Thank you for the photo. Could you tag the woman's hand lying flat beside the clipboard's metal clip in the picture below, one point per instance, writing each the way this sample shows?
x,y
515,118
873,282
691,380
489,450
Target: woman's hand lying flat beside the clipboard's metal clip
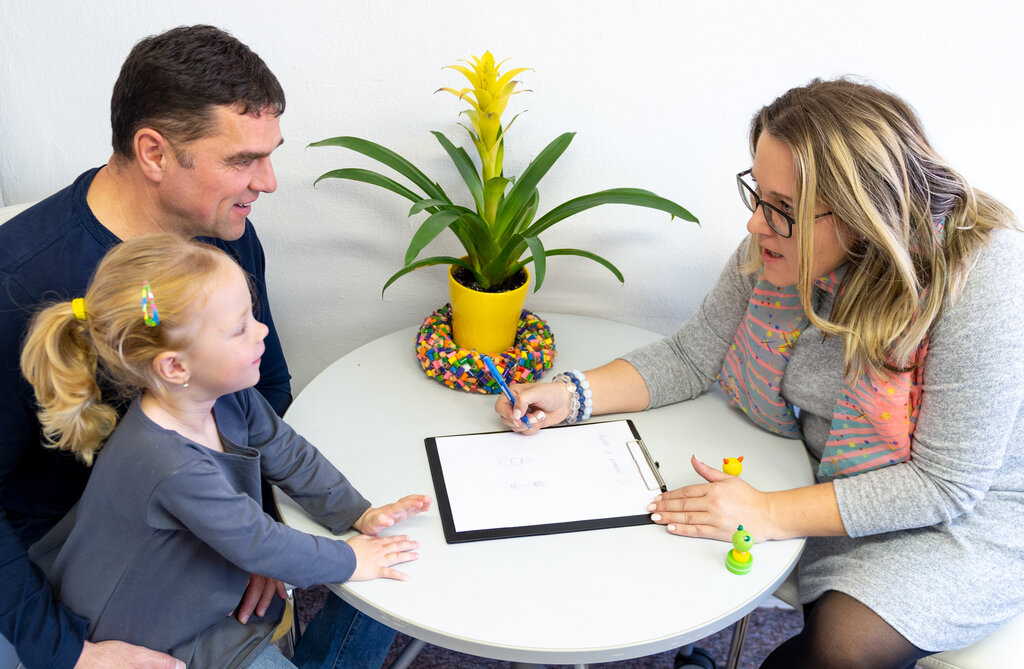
x,y
714,510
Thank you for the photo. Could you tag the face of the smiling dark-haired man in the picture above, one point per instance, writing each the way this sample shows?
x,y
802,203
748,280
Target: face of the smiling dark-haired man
x,y
225,173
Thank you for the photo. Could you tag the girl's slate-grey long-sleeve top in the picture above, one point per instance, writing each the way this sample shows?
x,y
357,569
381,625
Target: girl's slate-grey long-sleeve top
x,y
159,550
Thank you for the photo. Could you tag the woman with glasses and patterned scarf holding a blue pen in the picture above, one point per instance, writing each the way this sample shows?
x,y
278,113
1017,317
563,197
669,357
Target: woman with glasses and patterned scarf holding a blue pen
x,y
876,312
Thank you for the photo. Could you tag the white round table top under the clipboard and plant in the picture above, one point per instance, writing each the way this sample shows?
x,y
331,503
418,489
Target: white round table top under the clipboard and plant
x,y
568,599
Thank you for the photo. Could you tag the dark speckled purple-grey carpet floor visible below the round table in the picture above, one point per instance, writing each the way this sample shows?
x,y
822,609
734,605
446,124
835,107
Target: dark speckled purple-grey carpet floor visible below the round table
x,y
767,629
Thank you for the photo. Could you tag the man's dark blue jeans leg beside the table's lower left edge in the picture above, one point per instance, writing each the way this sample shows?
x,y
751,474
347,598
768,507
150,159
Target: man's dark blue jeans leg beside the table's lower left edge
x,y
343,638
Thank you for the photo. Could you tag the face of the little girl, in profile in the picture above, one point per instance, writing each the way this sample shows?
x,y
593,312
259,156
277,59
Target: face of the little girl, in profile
x,y
226,353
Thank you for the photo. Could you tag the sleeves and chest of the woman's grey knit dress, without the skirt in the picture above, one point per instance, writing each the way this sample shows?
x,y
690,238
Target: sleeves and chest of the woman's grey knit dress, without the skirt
x,y
969,435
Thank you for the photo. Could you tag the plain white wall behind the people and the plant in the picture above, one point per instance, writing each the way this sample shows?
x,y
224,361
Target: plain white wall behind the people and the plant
x,y
660,94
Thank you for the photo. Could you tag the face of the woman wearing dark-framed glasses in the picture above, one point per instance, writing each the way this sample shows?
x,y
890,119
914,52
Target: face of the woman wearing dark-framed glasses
x,y
775,172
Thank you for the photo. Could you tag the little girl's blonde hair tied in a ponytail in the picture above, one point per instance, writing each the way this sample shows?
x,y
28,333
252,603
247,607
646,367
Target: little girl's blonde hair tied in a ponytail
x,y
63,355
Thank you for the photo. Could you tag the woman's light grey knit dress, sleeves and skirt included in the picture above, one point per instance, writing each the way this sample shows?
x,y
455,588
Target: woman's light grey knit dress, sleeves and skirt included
x,y
933,546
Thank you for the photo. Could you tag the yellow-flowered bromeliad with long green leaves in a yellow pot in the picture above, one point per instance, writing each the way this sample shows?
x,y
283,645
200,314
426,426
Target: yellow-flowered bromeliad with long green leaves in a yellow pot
x,y
501,231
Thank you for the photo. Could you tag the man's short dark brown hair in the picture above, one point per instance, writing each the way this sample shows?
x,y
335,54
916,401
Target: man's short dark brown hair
x,y
174,82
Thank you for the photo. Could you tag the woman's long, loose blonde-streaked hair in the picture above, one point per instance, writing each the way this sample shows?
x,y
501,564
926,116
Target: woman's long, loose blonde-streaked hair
x,y
912,224
